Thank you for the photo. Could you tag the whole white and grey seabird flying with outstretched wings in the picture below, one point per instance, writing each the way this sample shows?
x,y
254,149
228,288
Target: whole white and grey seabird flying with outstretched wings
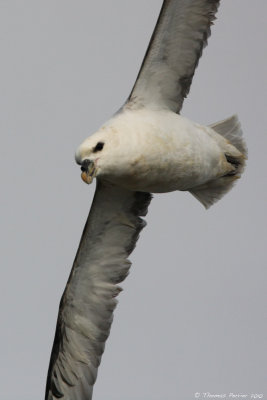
x,y
146,147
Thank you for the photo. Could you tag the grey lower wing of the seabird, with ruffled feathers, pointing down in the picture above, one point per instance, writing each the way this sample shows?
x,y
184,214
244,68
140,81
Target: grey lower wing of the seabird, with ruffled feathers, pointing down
x,y
86,308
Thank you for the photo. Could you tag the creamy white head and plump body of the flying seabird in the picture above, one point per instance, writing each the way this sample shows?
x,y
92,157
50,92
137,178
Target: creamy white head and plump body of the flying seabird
x,y
158,151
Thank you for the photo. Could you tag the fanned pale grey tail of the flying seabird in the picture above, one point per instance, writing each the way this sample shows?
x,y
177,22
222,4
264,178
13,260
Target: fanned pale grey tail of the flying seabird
x,y
213,191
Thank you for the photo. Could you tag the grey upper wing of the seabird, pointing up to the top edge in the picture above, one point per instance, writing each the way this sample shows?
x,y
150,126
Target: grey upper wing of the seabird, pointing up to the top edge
x,y
173,53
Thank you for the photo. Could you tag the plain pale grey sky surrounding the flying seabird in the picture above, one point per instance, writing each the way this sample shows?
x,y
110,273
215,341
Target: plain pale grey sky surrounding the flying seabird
x,y
192,317
